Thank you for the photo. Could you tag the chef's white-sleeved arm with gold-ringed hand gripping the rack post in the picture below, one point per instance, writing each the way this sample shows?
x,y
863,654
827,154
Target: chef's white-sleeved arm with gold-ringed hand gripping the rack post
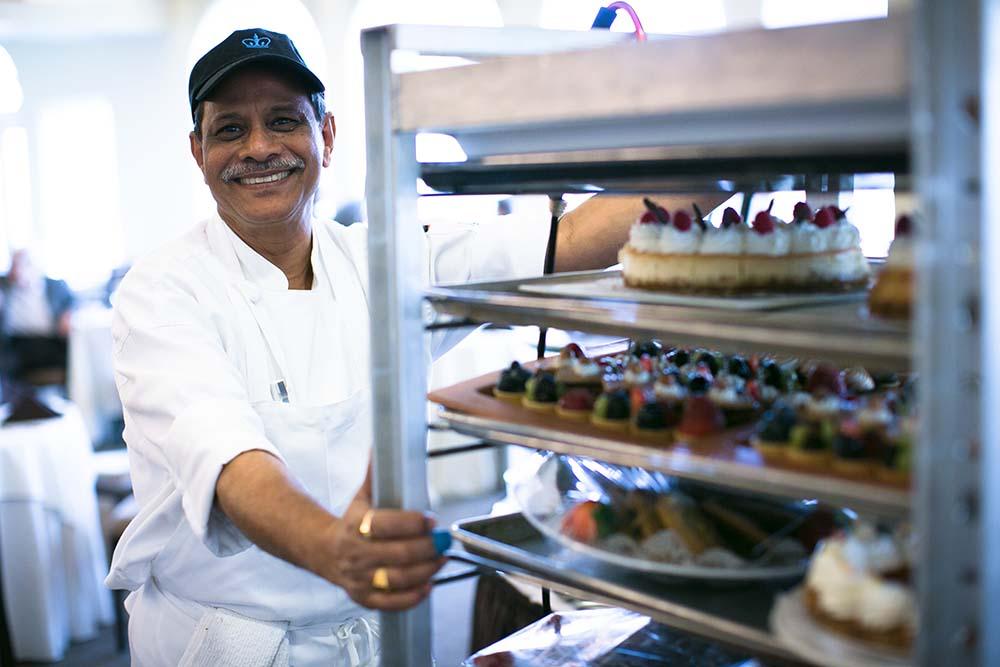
x,y
188,405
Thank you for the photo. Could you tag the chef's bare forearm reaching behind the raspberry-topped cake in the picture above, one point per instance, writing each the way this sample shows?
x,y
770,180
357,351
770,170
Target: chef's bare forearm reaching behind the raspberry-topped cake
x,y
591,234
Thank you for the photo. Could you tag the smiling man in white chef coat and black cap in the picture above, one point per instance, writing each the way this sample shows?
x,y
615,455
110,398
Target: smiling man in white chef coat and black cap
x,y
241,357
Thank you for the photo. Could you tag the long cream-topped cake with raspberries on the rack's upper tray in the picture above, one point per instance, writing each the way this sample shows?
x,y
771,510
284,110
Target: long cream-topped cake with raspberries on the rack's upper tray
x,y
818,250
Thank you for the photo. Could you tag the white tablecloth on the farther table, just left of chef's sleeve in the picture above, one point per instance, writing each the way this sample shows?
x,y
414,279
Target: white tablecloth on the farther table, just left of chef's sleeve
x,y
91,380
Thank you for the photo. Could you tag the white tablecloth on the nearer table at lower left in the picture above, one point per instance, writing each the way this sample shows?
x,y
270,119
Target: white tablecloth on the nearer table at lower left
x,y
52,555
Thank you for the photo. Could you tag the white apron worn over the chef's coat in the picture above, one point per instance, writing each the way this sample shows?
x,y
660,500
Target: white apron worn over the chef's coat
x,y
252,609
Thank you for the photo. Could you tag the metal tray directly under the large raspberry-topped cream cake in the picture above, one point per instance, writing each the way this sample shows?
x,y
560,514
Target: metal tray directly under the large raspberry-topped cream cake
x,y
841,333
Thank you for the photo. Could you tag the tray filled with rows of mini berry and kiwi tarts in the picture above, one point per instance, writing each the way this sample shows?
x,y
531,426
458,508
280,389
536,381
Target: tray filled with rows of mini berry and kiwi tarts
x,y
756,410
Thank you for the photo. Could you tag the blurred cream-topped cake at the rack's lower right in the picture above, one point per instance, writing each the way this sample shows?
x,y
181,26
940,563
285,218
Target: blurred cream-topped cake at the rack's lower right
x,y
858,586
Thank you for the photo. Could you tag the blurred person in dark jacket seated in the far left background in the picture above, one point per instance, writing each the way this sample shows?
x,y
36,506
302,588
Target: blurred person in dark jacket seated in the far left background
x,y
35,316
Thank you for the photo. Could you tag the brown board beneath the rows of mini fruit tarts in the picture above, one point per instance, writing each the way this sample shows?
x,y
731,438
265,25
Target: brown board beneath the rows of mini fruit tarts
x,y
475,397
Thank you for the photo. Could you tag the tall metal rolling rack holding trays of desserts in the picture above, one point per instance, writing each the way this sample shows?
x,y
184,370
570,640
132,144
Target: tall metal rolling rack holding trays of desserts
x,y
565,112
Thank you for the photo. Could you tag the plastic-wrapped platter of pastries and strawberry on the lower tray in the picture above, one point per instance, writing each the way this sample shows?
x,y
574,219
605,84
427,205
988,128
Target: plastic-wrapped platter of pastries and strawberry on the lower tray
x,y
666,527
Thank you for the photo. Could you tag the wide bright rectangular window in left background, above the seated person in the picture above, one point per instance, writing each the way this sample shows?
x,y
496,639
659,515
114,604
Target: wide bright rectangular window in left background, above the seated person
x,y
81,233
